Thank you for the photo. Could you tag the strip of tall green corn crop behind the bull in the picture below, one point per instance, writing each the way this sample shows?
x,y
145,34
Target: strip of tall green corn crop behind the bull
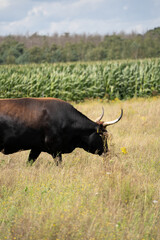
x,y
78,81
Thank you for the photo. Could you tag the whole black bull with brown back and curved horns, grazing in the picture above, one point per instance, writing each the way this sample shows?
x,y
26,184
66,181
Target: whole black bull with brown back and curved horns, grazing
x,y
49,125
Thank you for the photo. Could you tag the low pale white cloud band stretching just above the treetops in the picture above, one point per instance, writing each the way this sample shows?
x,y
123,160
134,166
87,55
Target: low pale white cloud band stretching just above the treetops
x,y
31,24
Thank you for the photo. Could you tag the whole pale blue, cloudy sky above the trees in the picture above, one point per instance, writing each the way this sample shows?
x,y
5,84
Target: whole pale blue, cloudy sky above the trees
x,y
78,16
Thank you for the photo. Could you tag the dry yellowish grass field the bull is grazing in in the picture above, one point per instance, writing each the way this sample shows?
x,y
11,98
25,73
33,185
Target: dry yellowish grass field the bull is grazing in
x,y
89,197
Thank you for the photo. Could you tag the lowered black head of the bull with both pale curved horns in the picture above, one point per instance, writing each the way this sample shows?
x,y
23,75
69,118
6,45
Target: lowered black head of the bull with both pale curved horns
x,y
98,139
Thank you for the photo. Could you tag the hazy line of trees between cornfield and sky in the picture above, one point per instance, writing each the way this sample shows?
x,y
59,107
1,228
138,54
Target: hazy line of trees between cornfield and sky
x,y
70,48
